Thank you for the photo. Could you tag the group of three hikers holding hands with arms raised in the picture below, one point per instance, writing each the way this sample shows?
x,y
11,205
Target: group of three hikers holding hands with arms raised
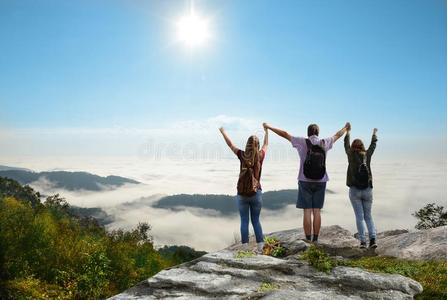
x,y
312,179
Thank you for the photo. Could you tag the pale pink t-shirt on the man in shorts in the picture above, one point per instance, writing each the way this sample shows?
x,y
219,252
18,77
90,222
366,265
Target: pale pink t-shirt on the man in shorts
x,y
300,144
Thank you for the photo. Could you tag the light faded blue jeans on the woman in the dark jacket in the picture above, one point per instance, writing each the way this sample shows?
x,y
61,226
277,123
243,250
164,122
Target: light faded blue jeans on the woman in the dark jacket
x,y
361,201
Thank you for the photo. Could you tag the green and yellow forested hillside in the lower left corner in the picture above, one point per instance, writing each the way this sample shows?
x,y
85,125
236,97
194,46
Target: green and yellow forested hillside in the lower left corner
x,y
48,252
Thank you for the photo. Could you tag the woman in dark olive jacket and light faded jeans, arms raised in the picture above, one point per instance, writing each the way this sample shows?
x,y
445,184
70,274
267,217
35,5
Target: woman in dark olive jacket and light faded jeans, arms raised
x,y
359,180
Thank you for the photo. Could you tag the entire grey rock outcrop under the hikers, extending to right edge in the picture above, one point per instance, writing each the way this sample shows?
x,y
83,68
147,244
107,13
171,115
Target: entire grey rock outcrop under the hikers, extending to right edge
x,y
223,275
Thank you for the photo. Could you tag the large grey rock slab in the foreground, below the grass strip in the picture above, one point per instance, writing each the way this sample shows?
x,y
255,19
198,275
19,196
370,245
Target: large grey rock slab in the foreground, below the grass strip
x,y
221,275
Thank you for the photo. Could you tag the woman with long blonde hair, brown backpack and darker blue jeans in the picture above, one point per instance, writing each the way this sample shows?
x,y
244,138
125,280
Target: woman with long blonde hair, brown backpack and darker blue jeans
x,y
249,192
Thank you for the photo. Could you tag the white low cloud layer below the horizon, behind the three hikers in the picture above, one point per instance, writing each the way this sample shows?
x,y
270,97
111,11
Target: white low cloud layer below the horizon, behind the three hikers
x,y
400,188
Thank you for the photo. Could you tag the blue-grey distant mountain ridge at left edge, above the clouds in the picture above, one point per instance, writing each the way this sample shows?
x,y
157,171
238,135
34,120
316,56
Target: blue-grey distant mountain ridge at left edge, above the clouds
x,y
71,181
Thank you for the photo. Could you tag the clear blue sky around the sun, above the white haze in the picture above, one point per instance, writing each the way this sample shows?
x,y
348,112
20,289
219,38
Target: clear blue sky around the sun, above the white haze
x,y
106,64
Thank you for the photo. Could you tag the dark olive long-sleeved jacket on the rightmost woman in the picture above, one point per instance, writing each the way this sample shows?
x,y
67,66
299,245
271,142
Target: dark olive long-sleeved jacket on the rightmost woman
x,y
355,159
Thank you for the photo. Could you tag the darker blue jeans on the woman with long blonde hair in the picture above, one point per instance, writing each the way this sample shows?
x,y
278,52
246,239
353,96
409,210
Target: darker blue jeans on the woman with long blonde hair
x,y
250,206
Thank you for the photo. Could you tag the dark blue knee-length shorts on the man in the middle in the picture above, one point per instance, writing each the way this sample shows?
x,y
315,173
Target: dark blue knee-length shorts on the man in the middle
x,y
311,194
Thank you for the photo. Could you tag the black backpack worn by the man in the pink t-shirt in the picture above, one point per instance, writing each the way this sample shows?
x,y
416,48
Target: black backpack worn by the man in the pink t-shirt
x,y
315,163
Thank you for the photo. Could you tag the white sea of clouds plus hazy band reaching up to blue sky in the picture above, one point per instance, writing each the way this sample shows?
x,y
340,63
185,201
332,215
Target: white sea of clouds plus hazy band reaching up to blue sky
x,y
190,157
